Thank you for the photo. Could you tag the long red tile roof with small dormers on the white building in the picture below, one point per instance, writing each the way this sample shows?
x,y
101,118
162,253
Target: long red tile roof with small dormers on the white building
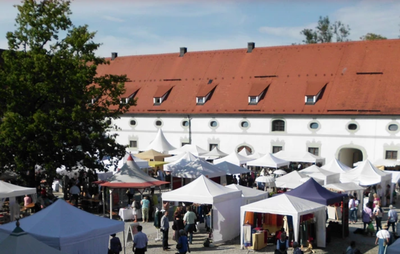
x,y
362,78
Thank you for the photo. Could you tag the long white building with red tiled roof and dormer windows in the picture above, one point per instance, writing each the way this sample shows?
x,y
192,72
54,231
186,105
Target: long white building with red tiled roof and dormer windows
x,y
335,100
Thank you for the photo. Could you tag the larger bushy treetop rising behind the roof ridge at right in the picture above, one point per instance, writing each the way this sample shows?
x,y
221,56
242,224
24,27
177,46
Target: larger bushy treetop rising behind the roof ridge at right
x,y
326,32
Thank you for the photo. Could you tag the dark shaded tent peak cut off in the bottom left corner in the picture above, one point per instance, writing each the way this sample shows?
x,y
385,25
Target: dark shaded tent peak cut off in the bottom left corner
x,y
20,242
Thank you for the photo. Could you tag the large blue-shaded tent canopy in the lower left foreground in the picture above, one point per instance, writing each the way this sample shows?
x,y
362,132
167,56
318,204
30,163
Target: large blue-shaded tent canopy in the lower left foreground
x,y
69,229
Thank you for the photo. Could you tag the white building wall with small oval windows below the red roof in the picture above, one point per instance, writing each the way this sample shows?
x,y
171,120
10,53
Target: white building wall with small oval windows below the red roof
x,y
371,137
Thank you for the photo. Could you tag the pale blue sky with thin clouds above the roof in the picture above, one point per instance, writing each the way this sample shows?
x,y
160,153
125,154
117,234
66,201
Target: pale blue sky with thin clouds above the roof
x,y
141,27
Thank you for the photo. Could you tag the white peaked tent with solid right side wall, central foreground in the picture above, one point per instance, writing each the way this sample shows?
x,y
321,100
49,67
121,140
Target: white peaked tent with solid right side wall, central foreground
x,y
226,205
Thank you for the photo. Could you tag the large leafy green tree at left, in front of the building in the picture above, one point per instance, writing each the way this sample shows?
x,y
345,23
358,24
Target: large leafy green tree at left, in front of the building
x,y
54,109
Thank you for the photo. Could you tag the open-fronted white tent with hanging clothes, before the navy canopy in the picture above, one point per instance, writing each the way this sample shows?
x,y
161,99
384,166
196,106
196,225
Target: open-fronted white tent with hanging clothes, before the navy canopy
x,y
292,206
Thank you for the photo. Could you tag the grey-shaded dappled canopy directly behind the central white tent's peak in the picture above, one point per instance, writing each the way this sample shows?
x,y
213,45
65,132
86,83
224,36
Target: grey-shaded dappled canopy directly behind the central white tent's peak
x,y
196,168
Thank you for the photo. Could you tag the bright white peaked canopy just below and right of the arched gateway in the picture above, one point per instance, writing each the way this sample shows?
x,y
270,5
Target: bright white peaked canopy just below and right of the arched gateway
x,y
366,174
